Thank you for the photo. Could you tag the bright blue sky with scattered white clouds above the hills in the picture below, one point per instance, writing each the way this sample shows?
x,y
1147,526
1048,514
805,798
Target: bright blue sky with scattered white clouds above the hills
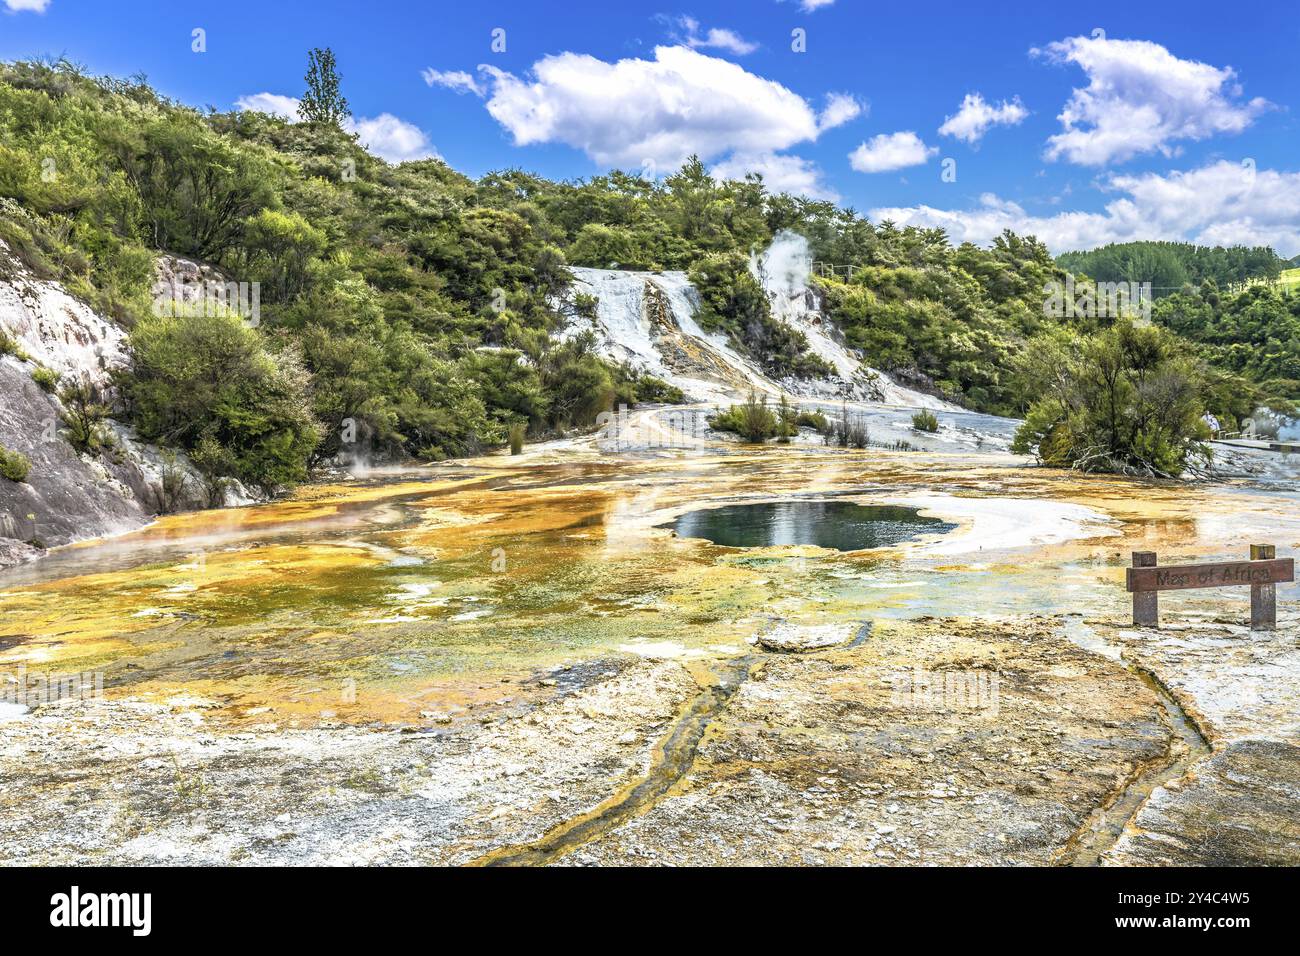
x,y
1180,119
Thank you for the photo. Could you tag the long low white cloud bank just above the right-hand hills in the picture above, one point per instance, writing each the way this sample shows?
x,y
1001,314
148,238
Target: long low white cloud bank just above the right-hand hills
x,y
1217,205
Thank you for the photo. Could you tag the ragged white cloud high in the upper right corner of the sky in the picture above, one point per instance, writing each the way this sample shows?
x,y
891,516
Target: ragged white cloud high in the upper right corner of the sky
x,y
1142,100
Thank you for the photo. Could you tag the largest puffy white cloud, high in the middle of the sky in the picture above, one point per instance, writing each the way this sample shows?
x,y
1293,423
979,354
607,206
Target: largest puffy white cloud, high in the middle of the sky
x,y
636,113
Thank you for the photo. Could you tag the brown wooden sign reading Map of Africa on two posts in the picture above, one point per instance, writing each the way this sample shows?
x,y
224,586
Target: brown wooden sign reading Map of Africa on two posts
x,y
1146,579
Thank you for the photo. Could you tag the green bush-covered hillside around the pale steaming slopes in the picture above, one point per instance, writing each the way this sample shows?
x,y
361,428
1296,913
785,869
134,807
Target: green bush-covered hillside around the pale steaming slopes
x,y
421,305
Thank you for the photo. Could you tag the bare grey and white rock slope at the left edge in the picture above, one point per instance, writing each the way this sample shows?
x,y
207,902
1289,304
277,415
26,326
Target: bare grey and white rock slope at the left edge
x,y
68,496
